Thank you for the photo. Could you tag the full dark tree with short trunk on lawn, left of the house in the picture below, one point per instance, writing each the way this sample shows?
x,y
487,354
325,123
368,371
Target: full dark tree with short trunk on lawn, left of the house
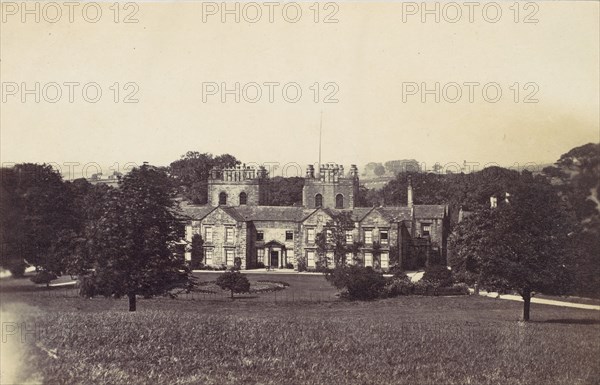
x,y
135,238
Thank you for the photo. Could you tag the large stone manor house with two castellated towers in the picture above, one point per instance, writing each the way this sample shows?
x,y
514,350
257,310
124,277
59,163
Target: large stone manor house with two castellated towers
x,y
238,222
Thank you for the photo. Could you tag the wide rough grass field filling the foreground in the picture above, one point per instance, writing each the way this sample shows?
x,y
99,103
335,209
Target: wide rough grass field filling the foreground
x,y
410,340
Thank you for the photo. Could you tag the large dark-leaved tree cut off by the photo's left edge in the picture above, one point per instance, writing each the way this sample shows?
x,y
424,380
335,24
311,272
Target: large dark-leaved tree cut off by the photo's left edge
x,y
37,213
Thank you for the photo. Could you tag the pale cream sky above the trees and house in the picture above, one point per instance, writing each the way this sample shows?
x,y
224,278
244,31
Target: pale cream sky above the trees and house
x,y
376,64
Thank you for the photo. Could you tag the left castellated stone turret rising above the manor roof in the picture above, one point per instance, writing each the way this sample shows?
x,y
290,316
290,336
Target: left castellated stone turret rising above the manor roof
x,y
238,186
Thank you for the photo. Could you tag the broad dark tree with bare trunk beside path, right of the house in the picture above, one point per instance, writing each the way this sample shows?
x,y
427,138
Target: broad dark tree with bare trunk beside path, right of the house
x,y
522,245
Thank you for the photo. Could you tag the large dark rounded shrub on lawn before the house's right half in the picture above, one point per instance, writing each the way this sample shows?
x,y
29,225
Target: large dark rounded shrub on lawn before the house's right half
x,y
360,283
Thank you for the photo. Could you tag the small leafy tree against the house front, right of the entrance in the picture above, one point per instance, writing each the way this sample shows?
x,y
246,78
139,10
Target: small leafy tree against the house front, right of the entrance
x,y
332,240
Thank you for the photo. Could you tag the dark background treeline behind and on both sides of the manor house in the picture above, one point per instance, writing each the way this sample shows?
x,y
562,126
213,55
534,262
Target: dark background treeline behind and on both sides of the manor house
x,y
46,221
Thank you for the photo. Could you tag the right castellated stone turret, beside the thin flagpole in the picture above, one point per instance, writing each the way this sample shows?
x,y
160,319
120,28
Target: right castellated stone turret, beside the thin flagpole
x,y
331,187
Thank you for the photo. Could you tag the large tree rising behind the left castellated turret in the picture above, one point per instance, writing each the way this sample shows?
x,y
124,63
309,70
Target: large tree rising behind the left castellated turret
x,y
191,172
